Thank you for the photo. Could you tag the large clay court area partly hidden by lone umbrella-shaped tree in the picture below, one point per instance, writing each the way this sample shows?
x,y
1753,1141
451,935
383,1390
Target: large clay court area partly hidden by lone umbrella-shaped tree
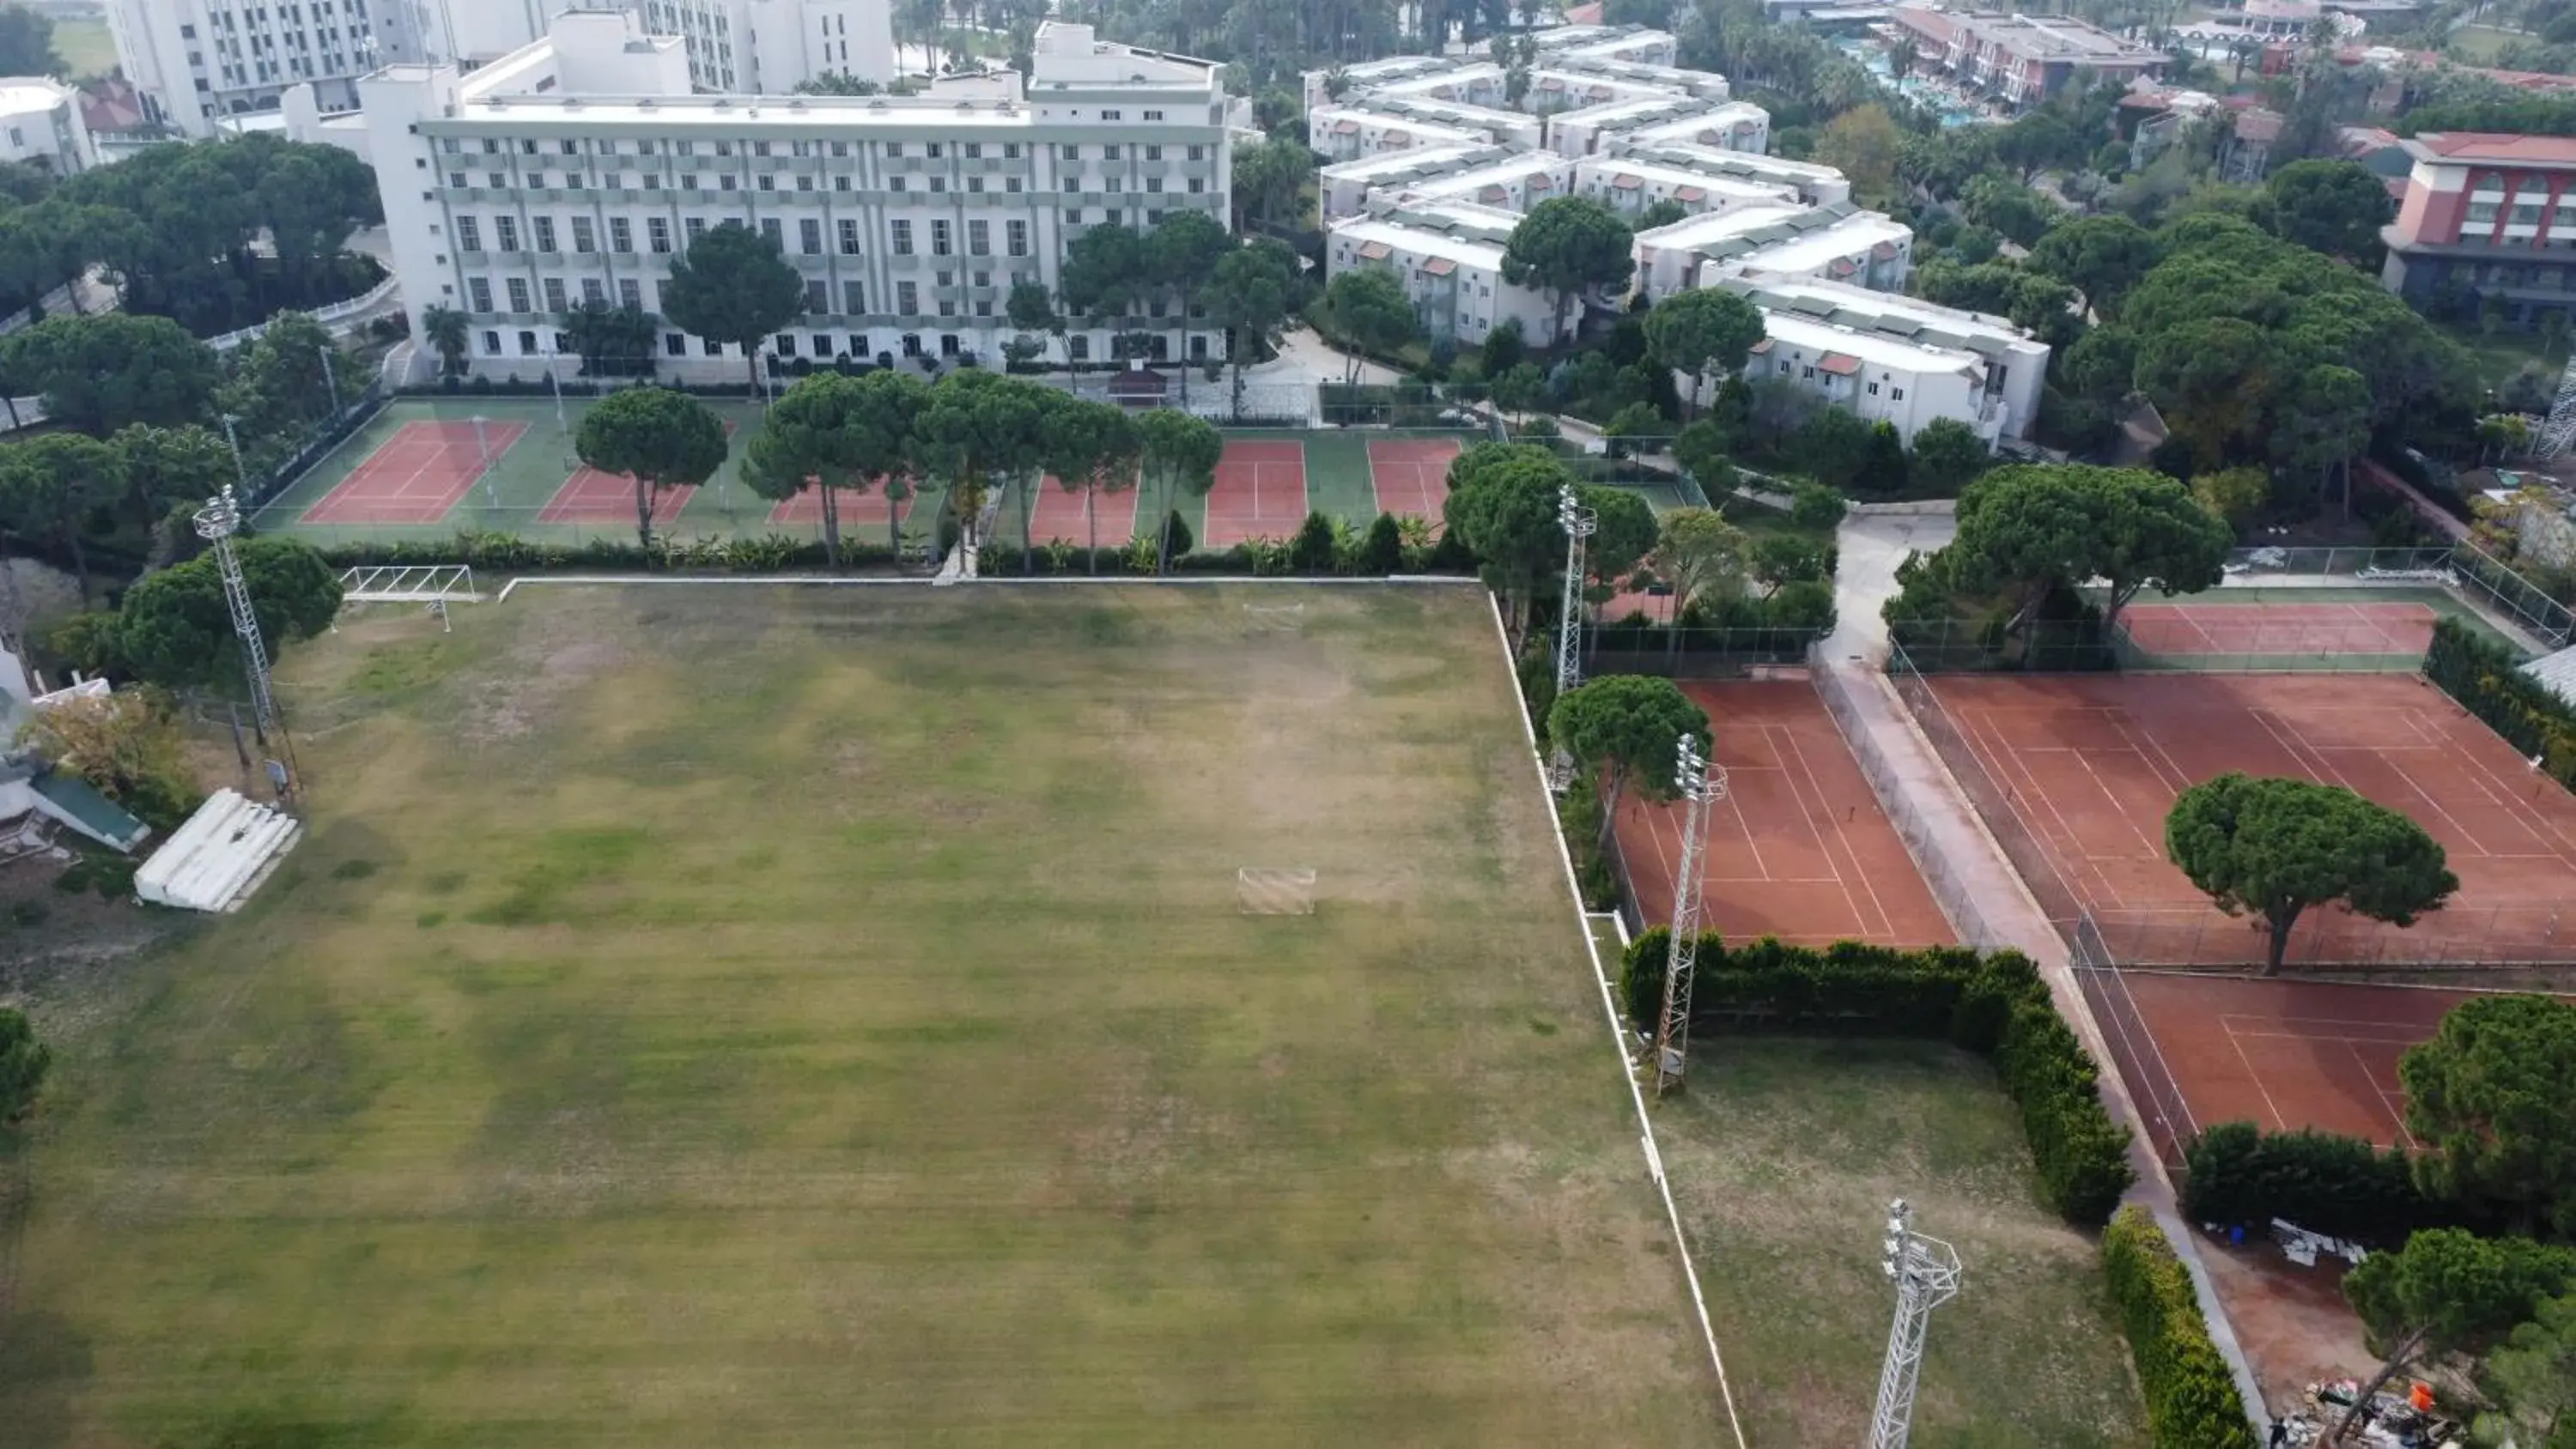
x,y
2088,766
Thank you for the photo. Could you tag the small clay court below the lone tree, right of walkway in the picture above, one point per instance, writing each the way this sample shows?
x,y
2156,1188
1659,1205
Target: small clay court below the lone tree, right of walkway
x,y
2281,1054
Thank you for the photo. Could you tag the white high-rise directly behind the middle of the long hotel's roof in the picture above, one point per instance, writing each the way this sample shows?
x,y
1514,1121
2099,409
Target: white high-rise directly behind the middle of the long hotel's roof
x,y
769,48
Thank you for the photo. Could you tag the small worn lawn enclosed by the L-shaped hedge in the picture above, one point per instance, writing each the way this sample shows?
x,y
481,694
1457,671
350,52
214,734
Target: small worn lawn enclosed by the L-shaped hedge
x,y
1784,1157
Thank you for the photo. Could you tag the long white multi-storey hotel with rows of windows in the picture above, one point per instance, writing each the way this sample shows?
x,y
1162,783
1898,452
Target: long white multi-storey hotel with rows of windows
x,y
578,166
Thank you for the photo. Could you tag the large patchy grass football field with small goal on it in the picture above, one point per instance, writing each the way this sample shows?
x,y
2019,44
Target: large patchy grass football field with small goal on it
x,y
826,1018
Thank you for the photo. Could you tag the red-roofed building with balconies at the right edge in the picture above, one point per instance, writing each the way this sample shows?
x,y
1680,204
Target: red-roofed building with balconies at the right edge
x,y
2487,217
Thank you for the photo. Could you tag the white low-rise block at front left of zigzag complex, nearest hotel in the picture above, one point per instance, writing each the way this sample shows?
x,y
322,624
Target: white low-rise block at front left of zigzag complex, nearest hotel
x,y
1449,261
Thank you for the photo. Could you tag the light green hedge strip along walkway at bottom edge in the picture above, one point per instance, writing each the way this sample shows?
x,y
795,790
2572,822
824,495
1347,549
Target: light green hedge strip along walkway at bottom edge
x,y
2191,1396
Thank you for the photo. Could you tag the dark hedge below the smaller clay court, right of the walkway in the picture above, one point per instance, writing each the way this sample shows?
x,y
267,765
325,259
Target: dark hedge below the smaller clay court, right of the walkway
x,y
2345,1188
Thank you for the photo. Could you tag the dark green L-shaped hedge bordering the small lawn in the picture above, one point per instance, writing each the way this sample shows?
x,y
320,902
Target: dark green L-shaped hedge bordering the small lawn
x,y
1990,1005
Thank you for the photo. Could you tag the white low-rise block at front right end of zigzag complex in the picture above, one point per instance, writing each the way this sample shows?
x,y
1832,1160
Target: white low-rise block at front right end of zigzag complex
x,y
1895,359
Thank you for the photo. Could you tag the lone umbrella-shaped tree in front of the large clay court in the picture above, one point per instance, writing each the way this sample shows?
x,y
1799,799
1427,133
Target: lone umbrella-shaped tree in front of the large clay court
x,y
2276,848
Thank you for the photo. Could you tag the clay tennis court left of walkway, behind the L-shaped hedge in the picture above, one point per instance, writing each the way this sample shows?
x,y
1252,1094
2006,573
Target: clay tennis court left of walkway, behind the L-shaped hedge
x,y
1799,845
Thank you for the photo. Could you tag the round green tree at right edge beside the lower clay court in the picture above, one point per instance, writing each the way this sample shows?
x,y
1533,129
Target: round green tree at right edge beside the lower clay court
x,y
2490,1100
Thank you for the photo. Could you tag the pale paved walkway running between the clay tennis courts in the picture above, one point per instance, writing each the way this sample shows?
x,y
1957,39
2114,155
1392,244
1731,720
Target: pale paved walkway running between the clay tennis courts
x,y
1967,869
